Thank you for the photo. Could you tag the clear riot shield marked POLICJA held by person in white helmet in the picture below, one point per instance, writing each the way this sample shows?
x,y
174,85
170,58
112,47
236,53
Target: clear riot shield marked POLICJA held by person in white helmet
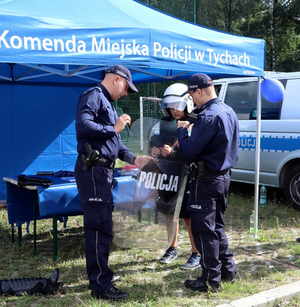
x,y
145,214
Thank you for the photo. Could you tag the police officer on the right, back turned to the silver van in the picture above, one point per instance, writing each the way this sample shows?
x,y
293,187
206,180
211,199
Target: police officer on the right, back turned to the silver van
x,y
212,148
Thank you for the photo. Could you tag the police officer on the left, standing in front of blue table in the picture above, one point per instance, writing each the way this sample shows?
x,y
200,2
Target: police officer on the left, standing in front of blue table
x,y
98,135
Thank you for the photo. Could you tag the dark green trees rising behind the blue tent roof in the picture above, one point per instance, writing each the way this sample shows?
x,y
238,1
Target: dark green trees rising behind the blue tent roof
x,y
276,21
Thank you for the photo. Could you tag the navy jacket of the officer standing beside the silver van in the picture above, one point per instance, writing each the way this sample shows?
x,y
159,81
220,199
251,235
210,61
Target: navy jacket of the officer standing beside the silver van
x,y
214,137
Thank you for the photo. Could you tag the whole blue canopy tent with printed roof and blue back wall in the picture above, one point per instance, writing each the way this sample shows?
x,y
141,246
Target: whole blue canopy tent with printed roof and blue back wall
x,y
51,50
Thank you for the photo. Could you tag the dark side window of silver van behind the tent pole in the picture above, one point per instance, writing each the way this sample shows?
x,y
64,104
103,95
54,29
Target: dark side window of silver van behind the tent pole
x,y
242,98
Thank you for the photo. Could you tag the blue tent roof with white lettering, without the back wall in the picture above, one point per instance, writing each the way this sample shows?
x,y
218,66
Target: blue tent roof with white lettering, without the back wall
x,y
62,39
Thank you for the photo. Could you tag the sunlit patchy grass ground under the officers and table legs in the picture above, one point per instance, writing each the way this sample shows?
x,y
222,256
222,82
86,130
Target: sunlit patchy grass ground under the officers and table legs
x,y
270,261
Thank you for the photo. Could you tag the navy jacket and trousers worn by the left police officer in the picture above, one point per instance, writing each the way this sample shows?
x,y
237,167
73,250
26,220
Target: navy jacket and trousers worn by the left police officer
x,y
95,122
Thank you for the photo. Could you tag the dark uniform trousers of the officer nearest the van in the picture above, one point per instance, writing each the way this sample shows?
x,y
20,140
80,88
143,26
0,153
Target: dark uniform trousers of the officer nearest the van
x,y
207,205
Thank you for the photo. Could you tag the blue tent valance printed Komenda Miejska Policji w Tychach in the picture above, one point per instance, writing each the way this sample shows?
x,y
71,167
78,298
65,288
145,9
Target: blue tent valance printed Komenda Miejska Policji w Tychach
x,y
133,46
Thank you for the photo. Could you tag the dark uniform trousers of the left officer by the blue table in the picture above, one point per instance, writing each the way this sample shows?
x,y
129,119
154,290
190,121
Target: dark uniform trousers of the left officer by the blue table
x,y
94,186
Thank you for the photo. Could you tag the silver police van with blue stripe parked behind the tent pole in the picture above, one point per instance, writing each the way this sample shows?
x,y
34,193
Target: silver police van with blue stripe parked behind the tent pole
x,y
280,132
